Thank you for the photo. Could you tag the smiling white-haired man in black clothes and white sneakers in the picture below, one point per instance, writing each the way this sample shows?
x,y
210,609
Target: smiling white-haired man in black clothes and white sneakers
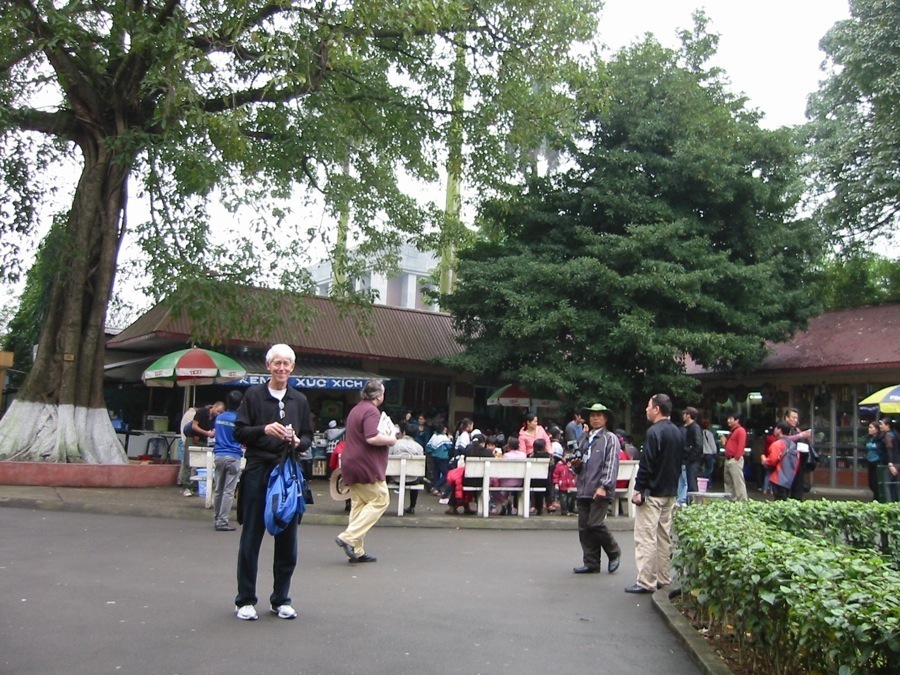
x,y
273,420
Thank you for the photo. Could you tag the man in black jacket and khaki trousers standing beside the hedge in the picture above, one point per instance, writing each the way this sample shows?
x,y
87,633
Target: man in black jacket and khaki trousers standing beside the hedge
x,y
655,488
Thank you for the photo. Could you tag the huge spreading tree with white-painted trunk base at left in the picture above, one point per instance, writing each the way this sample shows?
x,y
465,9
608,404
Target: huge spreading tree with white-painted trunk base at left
x,y
240,101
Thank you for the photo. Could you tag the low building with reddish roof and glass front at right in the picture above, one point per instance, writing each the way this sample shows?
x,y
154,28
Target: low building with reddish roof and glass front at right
x,y
824,372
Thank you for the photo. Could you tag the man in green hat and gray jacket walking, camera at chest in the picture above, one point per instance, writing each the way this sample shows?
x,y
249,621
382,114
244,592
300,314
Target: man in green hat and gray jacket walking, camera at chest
x,y
596,466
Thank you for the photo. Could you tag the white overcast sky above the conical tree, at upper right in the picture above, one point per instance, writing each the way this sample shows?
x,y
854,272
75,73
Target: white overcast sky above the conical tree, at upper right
x,y
768,48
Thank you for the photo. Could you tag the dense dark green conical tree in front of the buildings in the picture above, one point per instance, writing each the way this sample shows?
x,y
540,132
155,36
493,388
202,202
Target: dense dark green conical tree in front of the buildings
x,y
674,237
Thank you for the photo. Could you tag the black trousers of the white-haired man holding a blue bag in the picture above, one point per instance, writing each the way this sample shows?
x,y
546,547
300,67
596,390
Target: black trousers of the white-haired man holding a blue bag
x,y
254,482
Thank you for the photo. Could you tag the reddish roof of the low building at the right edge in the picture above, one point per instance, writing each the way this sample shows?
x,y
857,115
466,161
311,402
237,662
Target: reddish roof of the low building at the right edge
x,y
862,338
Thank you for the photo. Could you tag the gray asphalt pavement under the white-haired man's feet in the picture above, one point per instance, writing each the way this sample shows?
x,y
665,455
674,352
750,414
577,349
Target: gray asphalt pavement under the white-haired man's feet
x,y
87,593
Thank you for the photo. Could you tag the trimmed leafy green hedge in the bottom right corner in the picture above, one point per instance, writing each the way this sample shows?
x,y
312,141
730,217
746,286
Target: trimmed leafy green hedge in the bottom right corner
x,y
810,586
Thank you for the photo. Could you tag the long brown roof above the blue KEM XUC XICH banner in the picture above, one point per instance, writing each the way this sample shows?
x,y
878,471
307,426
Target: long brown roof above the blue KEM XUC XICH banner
x,y
392,333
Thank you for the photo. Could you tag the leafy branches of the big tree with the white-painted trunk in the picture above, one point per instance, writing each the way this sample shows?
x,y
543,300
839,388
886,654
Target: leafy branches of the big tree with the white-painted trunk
x,y
258,106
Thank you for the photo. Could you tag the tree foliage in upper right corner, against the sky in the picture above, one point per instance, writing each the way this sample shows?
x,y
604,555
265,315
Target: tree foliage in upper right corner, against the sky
x,y
855,123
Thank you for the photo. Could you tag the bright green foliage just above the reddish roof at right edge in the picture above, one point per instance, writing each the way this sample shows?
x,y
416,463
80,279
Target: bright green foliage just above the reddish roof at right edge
x,y
858,277
